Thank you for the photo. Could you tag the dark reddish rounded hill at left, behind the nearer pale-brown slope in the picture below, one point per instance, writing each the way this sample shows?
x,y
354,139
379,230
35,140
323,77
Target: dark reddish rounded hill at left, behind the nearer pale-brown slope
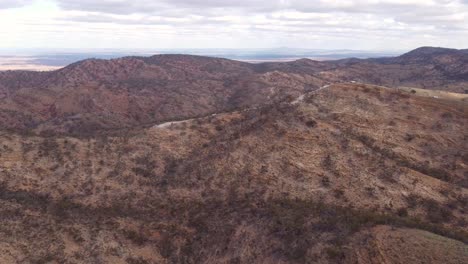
x,y
97,95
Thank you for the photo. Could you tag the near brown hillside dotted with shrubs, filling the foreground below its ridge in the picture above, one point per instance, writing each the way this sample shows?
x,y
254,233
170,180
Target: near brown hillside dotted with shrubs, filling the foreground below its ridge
x,y
323,177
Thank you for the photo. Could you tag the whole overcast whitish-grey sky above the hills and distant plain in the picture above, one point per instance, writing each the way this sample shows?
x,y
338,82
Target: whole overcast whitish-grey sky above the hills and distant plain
x,y
153,24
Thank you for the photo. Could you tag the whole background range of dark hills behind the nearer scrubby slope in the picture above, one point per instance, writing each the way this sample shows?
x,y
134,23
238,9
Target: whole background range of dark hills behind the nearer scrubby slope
x,y
107,95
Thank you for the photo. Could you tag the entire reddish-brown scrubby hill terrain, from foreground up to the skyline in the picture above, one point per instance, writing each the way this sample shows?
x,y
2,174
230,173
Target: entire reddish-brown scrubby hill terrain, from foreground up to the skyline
x,y
182,159
